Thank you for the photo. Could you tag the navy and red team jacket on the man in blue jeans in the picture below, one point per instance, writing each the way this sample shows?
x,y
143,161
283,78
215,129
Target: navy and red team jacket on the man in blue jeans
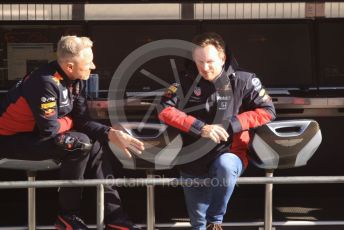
x,y
236,99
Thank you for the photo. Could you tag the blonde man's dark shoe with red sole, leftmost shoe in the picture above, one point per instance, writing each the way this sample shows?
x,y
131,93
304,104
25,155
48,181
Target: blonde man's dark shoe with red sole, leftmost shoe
x,y
70,222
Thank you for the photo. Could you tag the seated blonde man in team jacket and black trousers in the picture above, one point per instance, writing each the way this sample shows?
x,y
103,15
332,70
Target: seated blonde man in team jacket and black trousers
x,y
45,116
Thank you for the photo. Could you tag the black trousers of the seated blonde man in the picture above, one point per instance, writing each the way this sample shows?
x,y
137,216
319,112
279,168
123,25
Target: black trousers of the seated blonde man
x,y
95,164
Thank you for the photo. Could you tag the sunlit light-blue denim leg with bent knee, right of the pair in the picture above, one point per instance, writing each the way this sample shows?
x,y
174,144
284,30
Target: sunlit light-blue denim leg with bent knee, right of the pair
x,y
224,172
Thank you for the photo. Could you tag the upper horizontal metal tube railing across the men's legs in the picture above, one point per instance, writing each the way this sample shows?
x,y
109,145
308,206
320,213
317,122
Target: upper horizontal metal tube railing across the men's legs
x,y
168,182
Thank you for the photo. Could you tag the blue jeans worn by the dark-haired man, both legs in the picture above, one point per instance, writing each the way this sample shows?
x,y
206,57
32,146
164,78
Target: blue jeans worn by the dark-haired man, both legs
x,y
208,204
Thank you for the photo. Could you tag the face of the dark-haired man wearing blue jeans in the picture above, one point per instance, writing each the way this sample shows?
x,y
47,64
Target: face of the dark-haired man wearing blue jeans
x,y
209,61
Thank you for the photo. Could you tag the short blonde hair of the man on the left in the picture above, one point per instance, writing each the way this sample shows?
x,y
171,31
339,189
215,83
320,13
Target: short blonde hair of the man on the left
x,y
70,47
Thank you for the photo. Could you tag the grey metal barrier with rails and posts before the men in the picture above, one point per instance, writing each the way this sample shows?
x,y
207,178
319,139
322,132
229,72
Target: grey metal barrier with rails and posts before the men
x,y
151,182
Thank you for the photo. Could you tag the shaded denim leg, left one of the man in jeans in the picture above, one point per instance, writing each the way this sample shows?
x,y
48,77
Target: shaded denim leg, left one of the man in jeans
x,y
197,200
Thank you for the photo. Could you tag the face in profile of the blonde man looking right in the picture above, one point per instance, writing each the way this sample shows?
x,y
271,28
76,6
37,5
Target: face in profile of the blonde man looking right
x,y
83,65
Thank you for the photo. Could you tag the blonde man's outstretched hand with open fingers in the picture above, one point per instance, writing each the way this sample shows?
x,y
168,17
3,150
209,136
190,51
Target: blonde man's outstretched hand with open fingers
x,y
125,142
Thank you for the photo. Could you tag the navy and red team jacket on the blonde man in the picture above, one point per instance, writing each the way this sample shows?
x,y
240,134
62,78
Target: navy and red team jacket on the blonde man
x,y
46,103
